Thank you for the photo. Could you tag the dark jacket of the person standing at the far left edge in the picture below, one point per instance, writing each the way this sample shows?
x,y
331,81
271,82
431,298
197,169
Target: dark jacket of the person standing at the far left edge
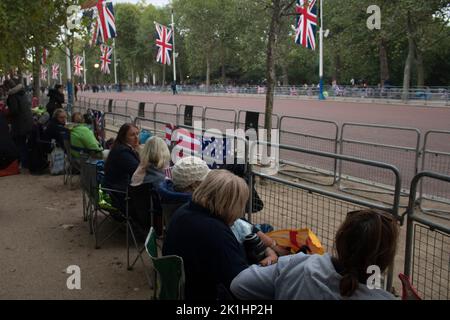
x,y
20,112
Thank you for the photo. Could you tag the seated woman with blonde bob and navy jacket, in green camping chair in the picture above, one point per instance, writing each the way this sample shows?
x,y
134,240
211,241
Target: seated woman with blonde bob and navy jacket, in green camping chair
x,y
200,233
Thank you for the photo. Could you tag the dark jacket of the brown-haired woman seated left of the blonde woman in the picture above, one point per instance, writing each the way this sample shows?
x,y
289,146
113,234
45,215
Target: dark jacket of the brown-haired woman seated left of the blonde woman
x,y
120,166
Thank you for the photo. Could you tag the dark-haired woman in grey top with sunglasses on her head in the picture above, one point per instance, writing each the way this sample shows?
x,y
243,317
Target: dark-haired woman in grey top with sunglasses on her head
x,y
367,238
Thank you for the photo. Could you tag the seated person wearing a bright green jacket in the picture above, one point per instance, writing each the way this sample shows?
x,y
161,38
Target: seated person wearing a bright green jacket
x,y
82,139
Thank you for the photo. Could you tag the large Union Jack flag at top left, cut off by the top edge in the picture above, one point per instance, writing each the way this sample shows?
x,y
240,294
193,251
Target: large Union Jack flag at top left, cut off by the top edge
x,y
106,22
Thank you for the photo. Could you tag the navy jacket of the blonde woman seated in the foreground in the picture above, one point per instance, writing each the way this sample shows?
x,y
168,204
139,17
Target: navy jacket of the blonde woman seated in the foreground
x,y
212,255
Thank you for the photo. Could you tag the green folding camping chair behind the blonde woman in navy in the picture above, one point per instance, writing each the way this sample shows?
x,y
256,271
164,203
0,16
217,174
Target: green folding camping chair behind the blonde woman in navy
x,y
169,278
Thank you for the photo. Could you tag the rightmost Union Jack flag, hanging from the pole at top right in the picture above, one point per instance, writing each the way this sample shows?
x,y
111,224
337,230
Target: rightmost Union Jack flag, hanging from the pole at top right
x,y
305,34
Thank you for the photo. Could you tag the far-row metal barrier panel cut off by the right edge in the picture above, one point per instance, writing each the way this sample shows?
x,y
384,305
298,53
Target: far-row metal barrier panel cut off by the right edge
x,y
436,158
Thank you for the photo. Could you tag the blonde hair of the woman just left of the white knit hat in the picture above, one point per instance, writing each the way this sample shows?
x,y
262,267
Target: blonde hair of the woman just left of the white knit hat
x,y
155,153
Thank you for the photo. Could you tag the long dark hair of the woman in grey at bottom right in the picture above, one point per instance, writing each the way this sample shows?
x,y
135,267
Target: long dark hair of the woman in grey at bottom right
x,y
366,238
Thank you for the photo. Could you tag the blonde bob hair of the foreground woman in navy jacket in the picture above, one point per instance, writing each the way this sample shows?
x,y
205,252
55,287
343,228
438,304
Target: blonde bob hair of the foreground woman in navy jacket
x,y
223,194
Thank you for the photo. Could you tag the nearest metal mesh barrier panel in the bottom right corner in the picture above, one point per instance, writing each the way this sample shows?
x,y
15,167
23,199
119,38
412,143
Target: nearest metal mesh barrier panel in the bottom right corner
x,y
427,255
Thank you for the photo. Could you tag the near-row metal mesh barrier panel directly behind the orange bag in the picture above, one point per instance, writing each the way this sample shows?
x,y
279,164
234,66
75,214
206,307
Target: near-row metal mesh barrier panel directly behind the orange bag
x,y
293,205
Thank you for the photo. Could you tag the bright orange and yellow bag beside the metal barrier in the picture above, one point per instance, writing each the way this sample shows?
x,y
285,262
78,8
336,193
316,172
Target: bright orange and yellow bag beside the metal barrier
x,y
298,239
